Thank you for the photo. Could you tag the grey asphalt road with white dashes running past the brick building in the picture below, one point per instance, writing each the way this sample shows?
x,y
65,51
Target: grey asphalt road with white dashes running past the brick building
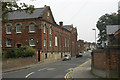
x,y
53,70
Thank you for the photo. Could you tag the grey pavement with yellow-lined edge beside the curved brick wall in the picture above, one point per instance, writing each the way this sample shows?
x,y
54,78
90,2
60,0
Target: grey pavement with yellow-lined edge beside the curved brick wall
x,y
82,71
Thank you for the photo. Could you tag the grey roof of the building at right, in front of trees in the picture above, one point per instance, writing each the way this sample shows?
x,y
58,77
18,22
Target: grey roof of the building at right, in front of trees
x,y
111,29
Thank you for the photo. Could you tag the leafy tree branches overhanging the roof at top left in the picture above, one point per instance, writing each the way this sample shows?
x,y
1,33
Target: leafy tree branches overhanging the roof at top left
x,y
11,6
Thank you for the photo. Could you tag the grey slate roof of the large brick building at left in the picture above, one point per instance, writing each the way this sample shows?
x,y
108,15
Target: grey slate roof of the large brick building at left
x,y
38,12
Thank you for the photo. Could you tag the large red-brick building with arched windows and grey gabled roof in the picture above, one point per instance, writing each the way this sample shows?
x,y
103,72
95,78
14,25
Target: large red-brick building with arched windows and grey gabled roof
x,y
39,30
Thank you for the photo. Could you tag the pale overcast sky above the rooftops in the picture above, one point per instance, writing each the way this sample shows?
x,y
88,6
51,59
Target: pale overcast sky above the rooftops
x,y
83,14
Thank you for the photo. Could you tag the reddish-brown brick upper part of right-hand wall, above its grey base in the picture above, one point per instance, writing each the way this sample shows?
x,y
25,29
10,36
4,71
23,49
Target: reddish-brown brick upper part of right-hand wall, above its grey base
x,y
107,58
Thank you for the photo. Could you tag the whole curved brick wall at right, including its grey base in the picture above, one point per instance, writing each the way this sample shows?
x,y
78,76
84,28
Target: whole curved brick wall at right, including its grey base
x,y
106,62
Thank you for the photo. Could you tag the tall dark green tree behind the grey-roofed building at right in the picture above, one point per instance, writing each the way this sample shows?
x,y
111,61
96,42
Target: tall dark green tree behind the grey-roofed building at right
x,y
107,19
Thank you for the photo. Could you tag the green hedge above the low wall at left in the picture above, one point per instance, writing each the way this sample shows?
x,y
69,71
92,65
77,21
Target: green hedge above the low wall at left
x,y
24,51
